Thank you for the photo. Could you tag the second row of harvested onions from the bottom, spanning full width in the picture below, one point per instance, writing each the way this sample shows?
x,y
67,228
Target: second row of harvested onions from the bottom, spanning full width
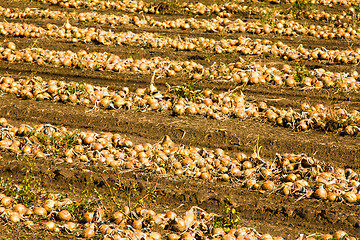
x,y
288,174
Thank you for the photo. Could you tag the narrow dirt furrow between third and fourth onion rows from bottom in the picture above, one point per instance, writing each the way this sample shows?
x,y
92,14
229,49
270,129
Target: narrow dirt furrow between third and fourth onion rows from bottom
x,y
282,97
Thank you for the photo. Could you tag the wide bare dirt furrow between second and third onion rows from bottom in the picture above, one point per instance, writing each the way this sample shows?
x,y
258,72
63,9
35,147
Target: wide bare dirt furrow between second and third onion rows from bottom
x,y
231,134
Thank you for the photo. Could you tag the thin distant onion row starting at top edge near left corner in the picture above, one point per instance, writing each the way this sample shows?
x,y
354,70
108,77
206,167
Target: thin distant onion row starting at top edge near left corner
x,y
222,10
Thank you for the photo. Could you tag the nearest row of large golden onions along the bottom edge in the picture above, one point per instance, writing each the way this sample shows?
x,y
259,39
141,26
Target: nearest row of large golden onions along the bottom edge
x,y
139,223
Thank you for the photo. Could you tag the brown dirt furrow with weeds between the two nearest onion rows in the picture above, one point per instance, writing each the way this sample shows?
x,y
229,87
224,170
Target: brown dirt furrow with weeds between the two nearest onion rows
x,y
267,213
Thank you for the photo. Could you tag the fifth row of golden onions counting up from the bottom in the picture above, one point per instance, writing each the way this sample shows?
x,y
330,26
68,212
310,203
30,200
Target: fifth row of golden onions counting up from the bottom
x,y
242,45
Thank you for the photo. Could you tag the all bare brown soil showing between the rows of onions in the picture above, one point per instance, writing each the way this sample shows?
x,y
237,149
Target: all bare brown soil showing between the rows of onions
x,y
268,213
